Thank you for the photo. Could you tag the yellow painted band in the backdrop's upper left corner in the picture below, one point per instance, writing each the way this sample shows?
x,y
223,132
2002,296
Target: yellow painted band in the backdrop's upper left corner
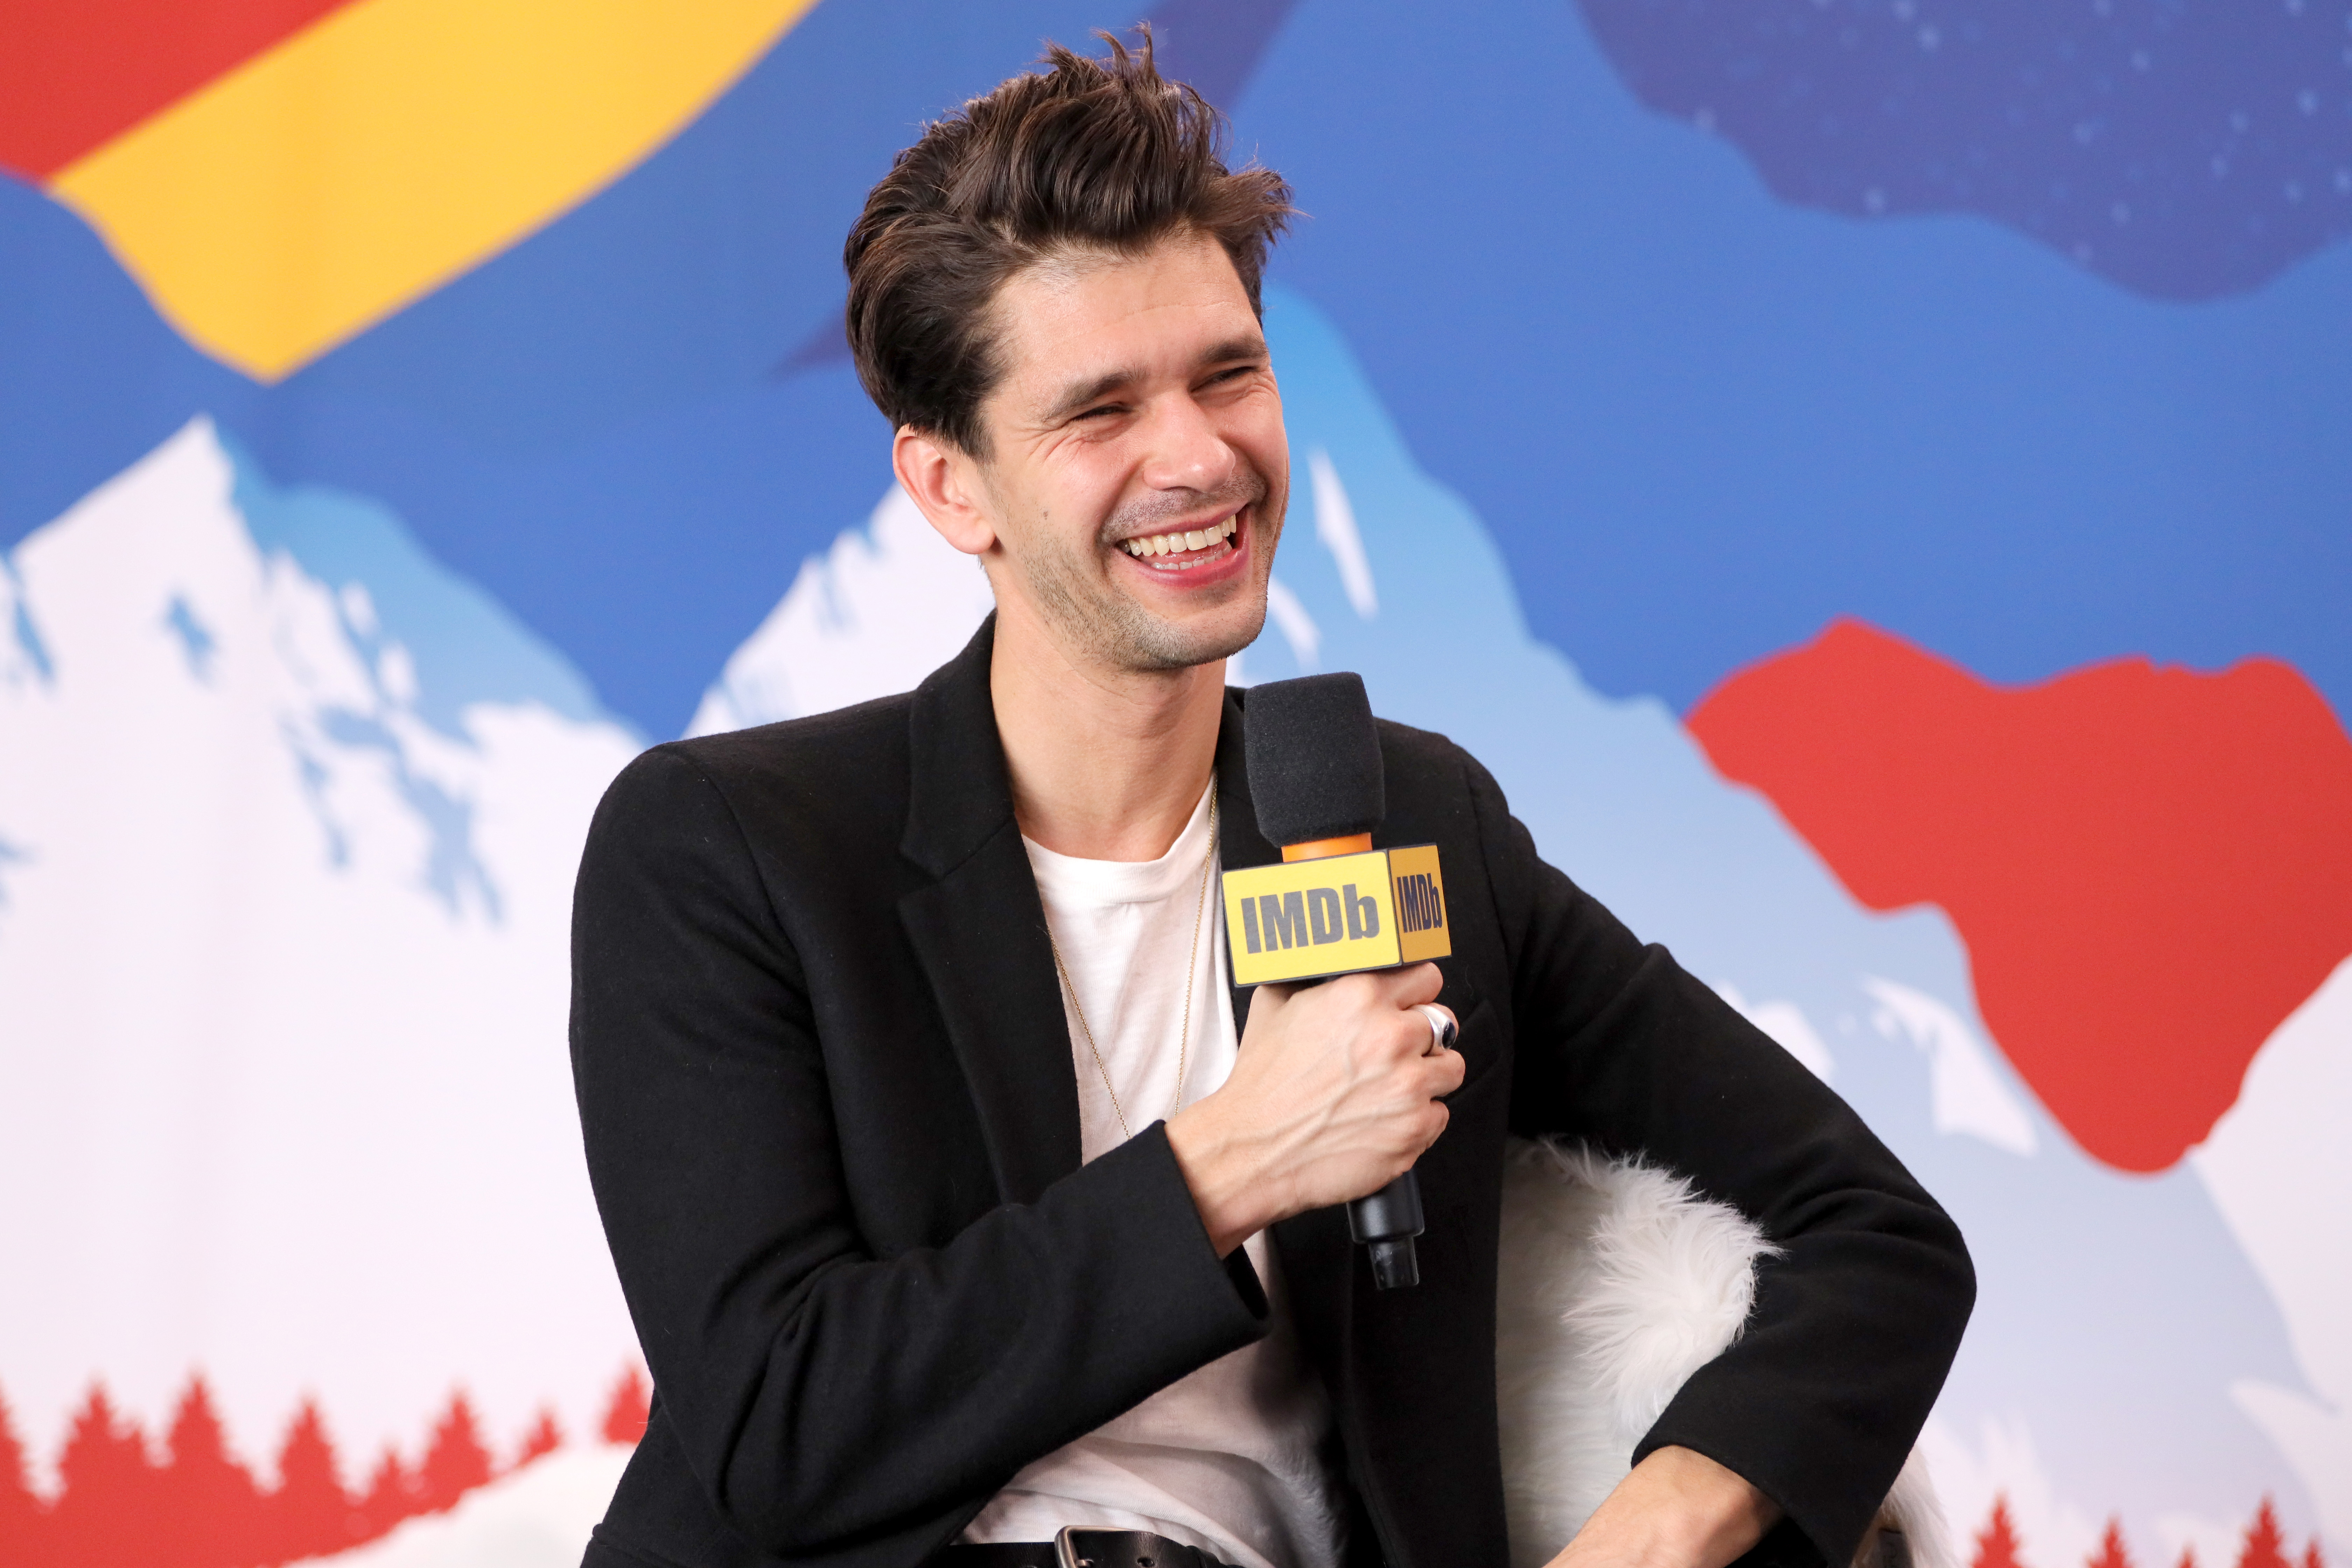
x,y
392,147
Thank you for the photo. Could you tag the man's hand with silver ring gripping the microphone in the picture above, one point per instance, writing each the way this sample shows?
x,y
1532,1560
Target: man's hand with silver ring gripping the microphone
x,y
1332,1099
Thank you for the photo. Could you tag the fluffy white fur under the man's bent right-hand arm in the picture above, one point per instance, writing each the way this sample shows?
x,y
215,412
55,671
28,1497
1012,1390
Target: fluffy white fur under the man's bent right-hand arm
x,y
1617,1285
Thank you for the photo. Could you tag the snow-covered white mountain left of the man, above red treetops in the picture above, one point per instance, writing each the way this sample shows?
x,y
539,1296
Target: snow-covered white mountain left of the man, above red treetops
x,y
290,822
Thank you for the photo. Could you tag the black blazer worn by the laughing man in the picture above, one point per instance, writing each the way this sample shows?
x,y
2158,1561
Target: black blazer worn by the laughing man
x,y
831,1123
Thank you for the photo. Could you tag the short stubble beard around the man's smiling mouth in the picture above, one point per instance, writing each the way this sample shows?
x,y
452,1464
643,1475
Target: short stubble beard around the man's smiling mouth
x,y
1078,598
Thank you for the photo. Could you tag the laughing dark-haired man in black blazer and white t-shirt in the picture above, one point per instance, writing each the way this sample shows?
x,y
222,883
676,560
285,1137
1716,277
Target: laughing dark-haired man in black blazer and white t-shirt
x,y
954,1193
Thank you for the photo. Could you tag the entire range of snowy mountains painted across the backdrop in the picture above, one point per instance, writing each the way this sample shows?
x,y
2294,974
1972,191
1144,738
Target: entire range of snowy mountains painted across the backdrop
x,y
288,831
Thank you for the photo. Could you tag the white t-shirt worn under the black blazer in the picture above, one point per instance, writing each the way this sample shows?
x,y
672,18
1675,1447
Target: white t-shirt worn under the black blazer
x,y
1229,1459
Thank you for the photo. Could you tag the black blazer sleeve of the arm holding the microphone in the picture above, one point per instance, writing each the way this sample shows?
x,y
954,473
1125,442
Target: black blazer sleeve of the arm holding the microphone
x,y
820,1395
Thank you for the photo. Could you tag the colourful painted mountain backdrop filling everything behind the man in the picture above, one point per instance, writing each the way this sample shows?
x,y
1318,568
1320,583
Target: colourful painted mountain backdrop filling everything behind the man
x,y
1871,476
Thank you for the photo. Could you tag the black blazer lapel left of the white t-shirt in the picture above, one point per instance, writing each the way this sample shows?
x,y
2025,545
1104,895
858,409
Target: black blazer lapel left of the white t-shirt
x,y
980,930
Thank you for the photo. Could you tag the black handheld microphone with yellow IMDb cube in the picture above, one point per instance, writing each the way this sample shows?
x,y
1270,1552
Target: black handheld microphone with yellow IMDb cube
x,y
1337,904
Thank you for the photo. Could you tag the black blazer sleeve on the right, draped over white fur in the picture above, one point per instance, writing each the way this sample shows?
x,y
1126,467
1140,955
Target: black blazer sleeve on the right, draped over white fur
x,y
1859,1318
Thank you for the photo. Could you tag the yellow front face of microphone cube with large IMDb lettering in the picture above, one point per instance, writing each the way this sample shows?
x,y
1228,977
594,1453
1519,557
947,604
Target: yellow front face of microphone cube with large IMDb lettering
x,y
1309,927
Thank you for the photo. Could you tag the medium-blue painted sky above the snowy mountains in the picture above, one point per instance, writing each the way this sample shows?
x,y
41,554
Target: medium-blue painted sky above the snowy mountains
x,y
1697,420
